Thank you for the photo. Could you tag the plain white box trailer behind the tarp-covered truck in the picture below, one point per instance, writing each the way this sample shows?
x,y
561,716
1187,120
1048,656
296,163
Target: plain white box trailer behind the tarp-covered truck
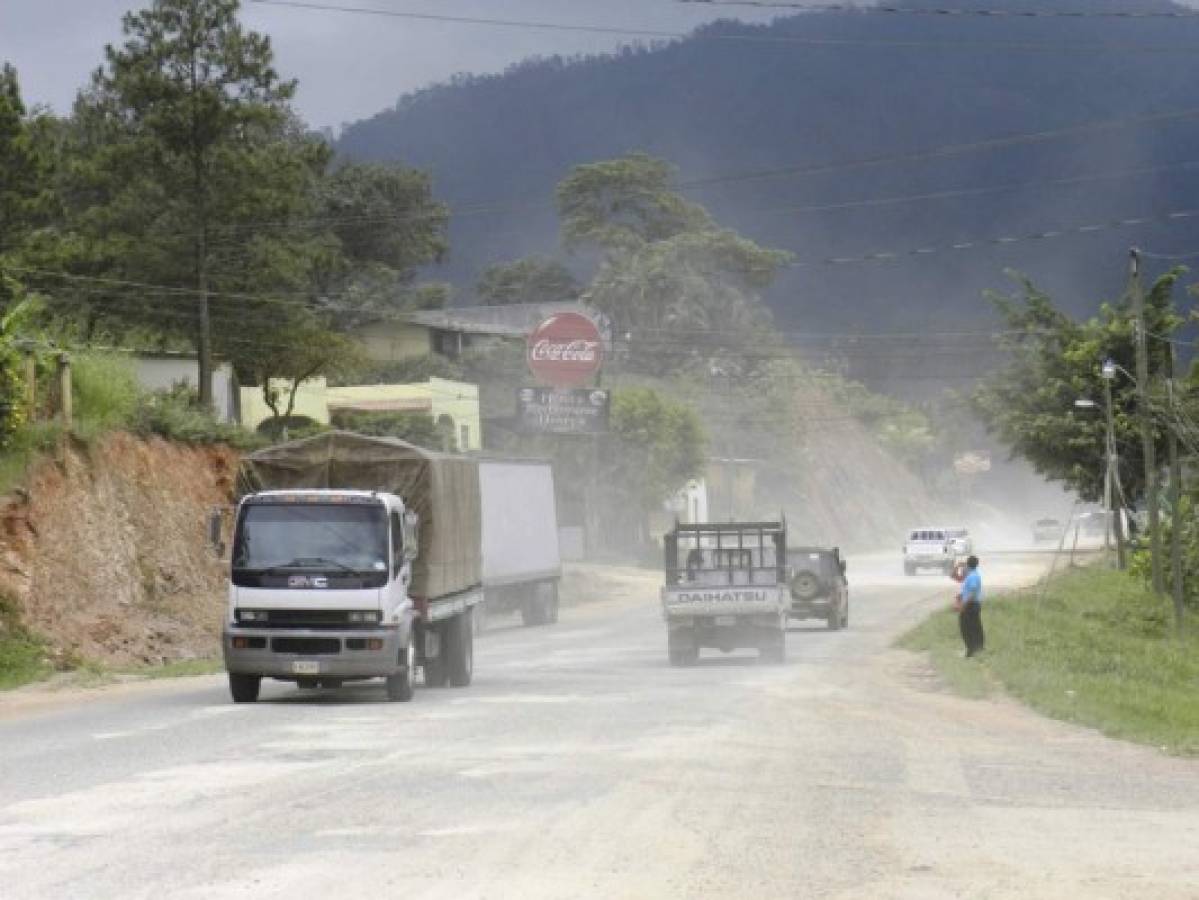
x,y
522,559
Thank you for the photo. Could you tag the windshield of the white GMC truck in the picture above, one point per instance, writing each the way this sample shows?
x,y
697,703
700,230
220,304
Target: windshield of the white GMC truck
x,y
317,536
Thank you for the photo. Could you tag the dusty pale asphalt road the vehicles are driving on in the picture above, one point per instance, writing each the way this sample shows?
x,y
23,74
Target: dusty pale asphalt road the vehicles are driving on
x,y
581,765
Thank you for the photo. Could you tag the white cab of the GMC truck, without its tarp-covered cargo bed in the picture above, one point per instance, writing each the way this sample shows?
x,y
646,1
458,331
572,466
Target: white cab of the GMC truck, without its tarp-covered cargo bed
x,y
318,591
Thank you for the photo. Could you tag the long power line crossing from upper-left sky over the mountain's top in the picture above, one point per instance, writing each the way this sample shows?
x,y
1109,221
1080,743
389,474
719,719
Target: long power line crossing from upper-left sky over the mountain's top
x,y
743,38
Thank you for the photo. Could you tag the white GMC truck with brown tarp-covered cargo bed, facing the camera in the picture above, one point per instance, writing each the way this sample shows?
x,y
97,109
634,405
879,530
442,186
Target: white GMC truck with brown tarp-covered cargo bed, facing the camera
x,y
353,559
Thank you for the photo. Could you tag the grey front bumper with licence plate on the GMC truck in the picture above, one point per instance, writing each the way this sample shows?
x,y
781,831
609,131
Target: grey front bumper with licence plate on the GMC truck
x,y
294,655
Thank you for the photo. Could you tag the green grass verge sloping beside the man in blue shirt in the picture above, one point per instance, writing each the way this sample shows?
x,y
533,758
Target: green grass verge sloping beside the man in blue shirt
x,y
1090,647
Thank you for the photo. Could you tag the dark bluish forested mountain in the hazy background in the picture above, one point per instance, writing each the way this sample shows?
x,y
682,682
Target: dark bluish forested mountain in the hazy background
x,y
823,92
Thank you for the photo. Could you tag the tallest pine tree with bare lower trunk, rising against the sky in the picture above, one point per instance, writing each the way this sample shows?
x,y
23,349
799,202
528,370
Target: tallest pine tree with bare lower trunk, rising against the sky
x,y
202,117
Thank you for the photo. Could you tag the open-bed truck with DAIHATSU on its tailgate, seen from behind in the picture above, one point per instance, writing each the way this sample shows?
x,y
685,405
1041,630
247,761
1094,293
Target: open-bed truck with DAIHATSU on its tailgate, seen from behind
x,y
726,588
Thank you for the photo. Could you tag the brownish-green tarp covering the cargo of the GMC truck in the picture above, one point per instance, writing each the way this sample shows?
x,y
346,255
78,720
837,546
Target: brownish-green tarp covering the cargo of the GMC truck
x,y
443,490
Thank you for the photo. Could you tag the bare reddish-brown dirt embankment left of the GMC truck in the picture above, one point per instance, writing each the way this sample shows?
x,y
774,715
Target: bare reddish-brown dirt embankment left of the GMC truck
x,y
105,554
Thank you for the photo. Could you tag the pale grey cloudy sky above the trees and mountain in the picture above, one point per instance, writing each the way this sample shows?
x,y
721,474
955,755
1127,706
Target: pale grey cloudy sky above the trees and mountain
x,y
350,67
